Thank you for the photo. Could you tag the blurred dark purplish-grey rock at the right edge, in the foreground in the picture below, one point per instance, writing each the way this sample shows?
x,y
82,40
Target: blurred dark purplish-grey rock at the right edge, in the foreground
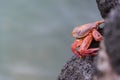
x,y
112,38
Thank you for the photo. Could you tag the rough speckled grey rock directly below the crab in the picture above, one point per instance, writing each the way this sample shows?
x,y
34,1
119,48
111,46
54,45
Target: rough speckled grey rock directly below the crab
x,y
78,69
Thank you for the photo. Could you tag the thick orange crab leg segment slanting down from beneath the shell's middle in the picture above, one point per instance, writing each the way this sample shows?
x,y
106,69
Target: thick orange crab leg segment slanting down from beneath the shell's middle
x,y
85,44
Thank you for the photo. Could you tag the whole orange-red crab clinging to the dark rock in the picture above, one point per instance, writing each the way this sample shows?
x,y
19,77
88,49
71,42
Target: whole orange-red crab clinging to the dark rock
x,y
84,35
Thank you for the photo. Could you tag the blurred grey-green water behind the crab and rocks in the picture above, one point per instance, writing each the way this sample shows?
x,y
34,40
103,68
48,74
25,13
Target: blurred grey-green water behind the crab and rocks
x,y
35,36
